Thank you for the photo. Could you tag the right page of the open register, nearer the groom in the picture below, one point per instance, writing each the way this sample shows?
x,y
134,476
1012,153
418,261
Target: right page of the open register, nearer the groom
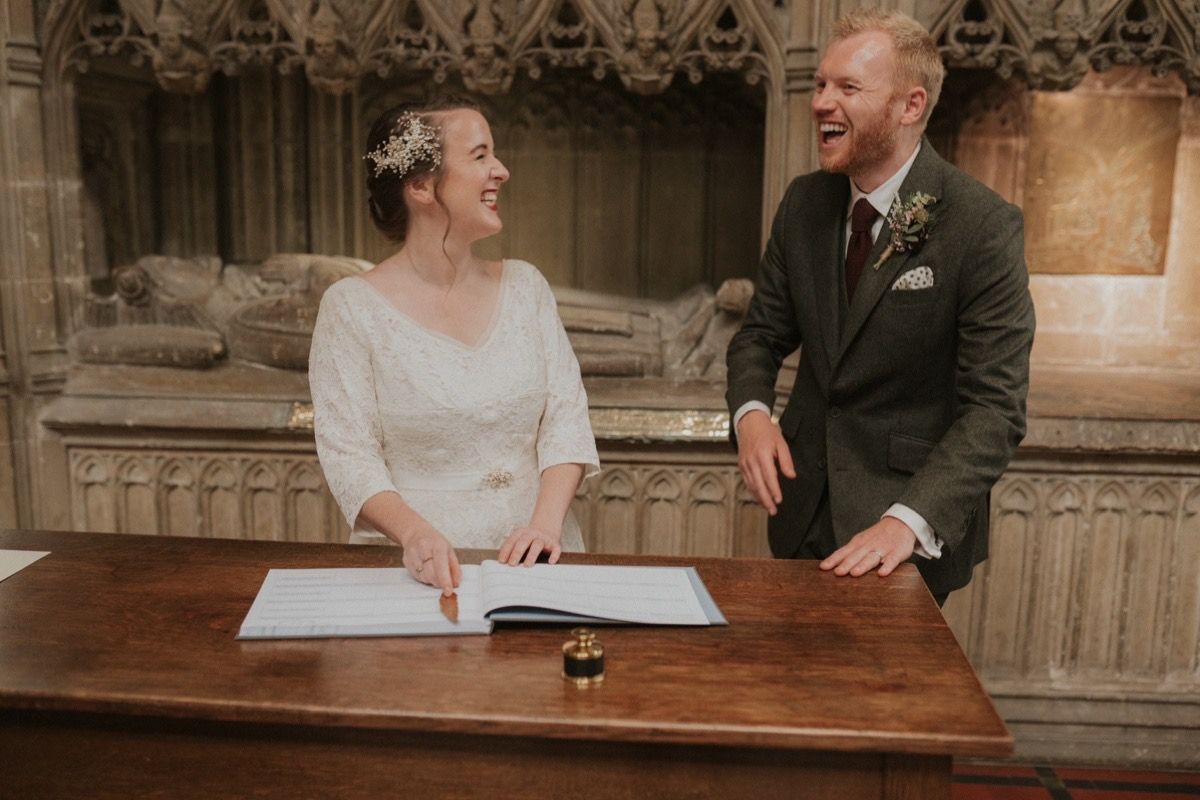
x,y
627,594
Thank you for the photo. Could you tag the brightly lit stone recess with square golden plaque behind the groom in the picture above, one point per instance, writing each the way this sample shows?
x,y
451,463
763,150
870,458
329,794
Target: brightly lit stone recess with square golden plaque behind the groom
x,y
1108,176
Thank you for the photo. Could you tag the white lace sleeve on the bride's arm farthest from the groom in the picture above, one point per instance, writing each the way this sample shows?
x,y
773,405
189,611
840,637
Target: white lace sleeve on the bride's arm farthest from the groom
x,y
346,417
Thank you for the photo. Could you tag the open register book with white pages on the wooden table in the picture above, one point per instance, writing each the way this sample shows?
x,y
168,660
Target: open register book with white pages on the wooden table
x,y
363,601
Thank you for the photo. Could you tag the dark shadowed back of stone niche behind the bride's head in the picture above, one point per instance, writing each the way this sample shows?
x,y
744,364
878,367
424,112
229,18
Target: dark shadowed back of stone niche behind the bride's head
x,y
611,191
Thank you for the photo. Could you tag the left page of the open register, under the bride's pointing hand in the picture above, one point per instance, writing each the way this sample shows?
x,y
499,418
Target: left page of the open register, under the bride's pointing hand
x,y
358,601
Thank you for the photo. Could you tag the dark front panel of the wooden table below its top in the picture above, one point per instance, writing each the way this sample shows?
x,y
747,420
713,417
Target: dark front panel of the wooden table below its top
x,y
275,762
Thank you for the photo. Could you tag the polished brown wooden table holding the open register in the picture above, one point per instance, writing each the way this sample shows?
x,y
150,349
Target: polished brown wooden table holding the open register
x,y
121,677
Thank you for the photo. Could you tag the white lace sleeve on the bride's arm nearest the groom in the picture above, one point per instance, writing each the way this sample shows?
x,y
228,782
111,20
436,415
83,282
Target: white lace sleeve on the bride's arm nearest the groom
x,y
566,434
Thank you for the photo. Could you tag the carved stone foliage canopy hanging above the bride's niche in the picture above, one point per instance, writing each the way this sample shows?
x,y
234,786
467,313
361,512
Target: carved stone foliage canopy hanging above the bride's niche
x,y
487,43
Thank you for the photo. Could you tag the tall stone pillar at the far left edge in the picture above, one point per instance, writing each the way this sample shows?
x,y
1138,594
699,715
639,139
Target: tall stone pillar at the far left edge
x,y
41,266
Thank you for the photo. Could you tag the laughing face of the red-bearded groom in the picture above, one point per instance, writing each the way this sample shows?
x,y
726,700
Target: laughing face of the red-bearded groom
x,y
855,106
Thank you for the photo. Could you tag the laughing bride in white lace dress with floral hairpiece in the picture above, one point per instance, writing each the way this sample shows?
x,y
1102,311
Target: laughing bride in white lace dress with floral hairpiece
x,y
449,407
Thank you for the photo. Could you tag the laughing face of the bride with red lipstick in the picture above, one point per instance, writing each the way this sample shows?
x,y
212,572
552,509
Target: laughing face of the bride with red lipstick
x,y
472,176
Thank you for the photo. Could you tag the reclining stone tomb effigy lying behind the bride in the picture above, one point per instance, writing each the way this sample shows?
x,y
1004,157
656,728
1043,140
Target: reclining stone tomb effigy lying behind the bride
x,y
196,314
